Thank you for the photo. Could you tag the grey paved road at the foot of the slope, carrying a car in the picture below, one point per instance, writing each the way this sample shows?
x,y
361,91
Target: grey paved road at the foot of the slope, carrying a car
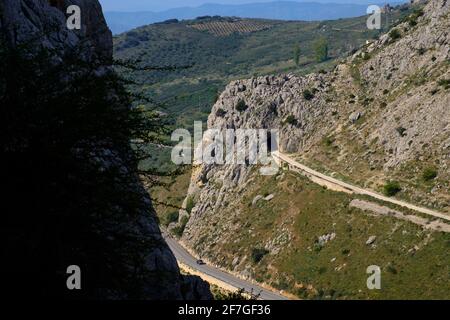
x,y
186,258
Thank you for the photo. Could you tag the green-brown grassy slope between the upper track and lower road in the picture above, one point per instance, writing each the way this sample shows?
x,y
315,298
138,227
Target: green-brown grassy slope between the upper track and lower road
x,y
305,211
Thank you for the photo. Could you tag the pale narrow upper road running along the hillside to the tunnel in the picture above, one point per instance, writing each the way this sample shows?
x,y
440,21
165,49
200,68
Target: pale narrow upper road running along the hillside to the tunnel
x,y
357,190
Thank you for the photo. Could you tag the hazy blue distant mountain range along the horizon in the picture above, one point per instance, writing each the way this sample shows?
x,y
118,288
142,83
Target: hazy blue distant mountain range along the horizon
x,y
284,10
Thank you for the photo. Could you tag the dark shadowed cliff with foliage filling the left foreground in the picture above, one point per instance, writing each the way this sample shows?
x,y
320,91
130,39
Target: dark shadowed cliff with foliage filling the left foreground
x,y
73,195
